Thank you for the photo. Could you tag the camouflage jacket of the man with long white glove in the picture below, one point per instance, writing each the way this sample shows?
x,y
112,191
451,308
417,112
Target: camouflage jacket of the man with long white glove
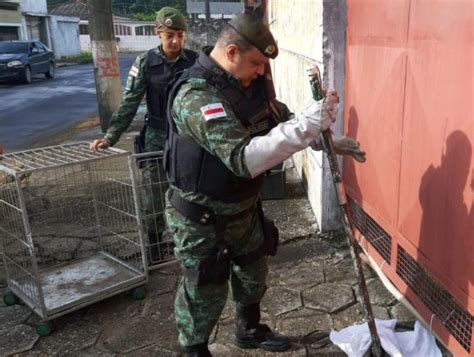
x,y
223,136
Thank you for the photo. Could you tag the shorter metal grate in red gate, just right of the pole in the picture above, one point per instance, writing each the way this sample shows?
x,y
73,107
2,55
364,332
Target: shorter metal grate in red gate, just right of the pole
x,y
377,237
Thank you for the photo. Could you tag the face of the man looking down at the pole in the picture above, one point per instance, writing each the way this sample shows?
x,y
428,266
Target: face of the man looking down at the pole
x,y
247,66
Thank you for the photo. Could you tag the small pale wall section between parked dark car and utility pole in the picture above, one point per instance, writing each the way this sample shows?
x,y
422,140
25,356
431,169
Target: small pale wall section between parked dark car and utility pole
x,y
65,36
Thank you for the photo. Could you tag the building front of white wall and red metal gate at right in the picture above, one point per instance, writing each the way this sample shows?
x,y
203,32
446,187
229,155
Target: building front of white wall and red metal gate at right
x,y
406,89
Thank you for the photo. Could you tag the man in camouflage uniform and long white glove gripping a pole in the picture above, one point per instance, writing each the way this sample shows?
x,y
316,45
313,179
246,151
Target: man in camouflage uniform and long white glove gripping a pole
x,y
216,155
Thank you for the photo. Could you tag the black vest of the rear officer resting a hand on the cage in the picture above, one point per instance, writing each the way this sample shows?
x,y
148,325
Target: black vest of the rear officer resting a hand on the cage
x,y
160,74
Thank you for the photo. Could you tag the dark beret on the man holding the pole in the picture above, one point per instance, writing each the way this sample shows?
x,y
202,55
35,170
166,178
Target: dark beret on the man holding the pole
x,y
254,30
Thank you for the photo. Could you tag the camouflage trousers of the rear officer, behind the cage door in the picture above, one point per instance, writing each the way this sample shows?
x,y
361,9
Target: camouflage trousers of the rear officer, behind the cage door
x,y
154,184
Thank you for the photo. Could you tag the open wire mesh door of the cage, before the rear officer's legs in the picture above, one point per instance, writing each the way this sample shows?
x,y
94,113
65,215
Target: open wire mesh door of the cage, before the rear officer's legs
x,y
150,185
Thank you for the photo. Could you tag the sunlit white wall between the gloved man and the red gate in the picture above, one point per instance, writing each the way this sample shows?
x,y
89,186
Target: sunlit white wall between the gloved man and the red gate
x,y
299,34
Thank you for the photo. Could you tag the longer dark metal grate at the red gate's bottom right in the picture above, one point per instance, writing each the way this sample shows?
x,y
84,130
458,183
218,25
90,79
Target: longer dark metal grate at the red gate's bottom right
x,y
453,316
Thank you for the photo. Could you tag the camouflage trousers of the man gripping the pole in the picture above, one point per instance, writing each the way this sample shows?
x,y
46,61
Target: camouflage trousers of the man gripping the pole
x,y
197,309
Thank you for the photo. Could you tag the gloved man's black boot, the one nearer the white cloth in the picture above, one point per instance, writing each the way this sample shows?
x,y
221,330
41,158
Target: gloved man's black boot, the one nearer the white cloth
x,y
249,333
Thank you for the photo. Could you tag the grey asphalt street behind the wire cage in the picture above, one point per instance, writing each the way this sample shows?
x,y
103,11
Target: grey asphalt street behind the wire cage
x,y
30,114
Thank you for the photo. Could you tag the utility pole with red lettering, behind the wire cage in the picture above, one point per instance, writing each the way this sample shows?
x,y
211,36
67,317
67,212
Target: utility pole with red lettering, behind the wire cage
x,y
104,52
